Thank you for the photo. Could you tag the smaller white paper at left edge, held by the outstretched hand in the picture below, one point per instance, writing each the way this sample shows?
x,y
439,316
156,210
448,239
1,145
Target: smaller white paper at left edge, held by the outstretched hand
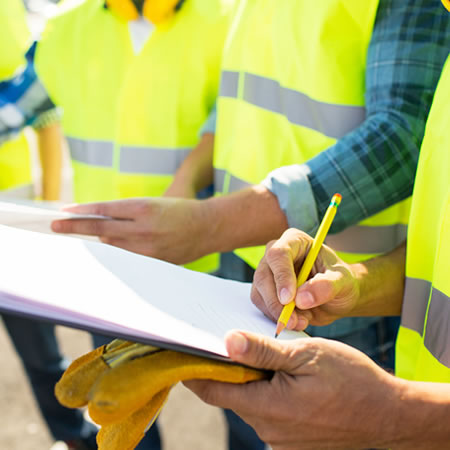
x,y
35,216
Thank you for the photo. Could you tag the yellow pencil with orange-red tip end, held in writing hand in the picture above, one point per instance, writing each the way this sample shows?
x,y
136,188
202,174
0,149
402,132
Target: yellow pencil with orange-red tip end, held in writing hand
x,y
310,259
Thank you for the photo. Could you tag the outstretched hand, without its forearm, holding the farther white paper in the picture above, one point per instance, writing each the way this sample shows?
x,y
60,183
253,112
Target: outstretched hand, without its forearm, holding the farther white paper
x,y
164,228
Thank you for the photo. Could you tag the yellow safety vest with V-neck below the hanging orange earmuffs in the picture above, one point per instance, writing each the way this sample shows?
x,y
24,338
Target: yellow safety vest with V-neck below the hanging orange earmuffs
x,y
132,119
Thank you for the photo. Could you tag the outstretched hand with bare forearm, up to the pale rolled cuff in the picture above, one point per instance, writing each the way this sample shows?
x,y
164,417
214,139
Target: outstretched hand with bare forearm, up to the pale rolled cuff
x,y
182,230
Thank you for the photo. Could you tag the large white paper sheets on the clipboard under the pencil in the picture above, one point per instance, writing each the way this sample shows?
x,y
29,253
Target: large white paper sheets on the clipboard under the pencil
x,y
97,286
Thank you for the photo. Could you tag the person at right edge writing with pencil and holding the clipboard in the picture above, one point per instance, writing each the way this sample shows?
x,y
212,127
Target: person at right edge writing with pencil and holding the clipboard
x,y
325,394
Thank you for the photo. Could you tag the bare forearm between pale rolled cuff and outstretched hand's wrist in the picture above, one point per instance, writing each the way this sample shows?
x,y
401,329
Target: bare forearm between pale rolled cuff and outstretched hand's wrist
x,y
246,218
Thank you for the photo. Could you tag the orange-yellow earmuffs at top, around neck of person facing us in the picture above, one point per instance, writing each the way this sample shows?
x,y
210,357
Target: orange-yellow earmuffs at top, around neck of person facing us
x,y
156,11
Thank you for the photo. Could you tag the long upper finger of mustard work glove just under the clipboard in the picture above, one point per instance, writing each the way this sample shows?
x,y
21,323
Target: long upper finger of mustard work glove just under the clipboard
x,y
130,386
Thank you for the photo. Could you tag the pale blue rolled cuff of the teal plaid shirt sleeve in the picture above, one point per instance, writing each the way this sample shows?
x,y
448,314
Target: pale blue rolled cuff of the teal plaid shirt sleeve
x,y
291,186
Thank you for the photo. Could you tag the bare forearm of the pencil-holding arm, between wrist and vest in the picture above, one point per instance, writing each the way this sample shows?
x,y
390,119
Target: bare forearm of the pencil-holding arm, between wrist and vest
x,y
381,283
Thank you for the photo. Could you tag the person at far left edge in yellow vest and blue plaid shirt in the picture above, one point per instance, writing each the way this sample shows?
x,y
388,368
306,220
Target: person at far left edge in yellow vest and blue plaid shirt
x,y
25,103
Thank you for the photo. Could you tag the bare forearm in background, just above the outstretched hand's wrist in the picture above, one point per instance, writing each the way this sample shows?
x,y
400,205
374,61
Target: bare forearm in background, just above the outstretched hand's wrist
x,y
196,171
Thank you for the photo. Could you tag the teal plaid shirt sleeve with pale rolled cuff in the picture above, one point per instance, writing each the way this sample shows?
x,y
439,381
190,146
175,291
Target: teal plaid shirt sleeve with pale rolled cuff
x,y
374,166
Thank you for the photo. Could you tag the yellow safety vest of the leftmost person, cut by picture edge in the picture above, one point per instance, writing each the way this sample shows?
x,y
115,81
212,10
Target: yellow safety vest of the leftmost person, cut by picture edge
x,y
15,163
